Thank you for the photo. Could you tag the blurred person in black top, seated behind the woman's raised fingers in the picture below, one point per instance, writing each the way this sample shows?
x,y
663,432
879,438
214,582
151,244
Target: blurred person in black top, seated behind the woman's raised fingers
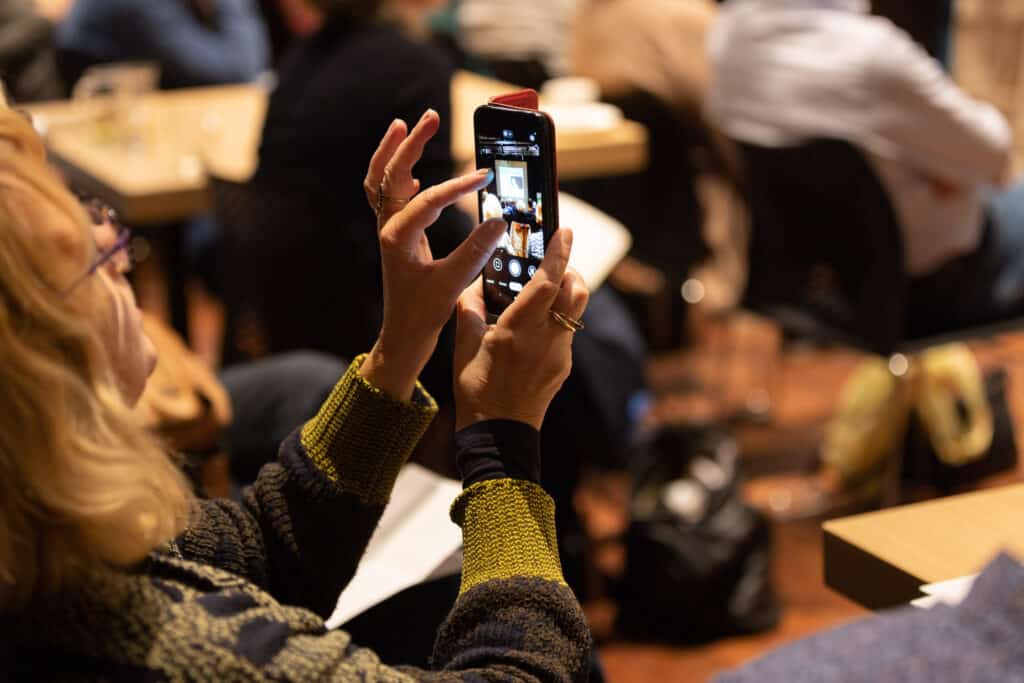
x,y
365,67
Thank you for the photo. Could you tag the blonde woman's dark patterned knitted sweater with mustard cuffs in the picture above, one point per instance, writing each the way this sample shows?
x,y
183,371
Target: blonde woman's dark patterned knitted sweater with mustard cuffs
x,y
242,595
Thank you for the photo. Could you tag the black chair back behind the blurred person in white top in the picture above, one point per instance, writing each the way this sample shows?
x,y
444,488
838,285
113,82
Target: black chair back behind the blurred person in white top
x,y
826,249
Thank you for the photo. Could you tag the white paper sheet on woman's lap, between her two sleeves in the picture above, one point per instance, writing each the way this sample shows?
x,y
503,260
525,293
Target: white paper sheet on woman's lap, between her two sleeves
x,y
415,542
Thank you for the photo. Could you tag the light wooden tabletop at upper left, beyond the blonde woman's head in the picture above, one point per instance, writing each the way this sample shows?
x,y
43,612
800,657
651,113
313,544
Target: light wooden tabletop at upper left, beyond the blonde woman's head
x,y
148,157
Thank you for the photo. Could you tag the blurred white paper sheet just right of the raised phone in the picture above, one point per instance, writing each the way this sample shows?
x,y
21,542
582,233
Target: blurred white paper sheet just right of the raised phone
x,y
600,242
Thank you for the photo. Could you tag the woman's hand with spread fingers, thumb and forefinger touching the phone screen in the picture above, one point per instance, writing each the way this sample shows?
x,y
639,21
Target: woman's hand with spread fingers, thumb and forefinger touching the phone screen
x,y
420,292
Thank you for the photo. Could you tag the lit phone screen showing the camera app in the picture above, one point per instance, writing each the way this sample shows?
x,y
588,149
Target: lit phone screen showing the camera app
x,y
517,196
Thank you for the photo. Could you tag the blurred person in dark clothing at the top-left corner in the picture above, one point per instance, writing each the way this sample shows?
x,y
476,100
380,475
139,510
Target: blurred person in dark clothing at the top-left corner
x,y
28,57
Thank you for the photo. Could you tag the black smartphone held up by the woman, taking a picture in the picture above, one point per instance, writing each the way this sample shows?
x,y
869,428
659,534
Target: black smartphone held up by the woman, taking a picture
x,y
519,145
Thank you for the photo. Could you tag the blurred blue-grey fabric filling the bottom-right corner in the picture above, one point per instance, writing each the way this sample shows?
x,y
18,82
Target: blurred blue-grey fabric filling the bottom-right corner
x,y
978,642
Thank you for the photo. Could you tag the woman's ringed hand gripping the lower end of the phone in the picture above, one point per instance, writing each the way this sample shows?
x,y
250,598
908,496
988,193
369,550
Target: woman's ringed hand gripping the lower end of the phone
x,y
513,370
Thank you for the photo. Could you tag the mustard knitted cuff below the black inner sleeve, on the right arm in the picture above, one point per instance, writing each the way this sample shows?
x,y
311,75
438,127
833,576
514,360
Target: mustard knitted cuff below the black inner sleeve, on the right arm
x,y
508,530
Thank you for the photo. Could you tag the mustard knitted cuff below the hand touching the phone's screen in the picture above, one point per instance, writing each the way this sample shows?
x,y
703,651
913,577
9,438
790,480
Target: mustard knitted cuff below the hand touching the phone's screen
x,y
362,438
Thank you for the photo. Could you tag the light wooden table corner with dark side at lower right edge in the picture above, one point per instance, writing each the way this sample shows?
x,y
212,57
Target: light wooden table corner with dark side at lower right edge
x,y
881,560
